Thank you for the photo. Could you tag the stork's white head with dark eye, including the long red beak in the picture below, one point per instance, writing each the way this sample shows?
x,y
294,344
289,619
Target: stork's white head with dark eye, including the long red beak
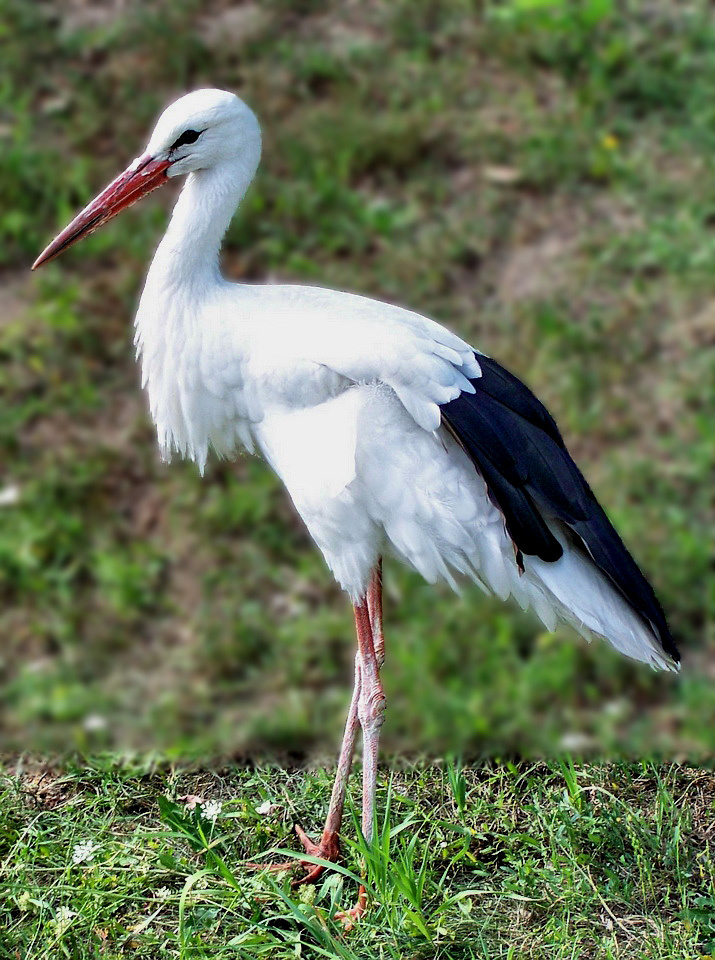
x,y
200,131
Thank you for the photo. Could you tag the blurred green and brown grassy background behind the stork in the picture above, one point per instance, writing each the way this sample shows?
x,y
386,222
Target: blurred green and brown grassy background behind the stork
x,y
538,175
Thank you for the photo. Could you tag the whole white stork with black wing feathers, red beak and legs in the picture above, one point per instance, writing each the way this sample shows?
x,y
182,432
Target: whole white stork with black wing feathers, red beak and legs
x,y
390,433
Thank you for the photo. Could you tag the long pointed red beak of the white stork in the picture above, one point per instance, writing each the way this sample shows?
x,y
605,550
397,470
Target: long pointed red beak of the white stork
x,y
140,178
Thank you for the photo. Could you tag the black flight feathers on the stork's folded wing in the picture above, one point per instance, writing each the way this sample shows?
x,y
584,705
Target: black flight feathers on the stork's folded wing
x,y
516,445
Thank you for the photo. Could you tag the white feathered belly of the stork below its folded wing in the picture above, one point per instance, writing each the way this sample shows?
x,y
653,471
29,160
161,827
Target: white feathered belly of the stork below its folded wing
x,y
365,477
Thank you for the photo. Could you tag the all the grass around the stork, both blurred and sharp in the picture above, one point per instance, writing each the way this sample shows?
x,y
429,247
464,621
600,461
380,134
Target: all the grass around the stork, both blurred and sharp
x,y
540,177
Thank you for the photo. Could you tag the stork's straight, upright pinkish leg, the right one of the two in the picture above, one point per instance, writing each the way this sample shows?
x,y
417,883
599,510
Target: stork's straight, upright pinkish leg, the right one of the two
x,y
371,713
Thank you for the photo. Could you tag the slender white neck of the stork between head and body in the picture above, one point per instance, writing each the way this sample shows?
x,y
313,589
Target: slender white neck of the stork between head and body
x,y
205,207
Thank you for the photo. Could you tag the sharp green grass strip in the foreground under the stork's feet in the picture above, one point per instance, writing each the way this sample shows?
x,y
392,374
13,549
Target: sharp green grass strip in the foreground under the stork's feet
x,y
544,860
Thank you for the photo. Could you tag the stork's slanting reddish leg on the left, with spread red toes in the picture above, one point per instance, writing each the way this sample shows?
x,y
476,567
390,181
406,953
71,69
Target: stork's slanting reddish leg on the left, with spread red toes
x,y
328,847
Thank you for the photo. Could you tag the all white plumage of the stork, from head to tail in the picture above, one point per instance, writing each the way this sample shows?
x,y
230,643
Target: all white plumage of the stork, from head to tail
x,y
341,395
